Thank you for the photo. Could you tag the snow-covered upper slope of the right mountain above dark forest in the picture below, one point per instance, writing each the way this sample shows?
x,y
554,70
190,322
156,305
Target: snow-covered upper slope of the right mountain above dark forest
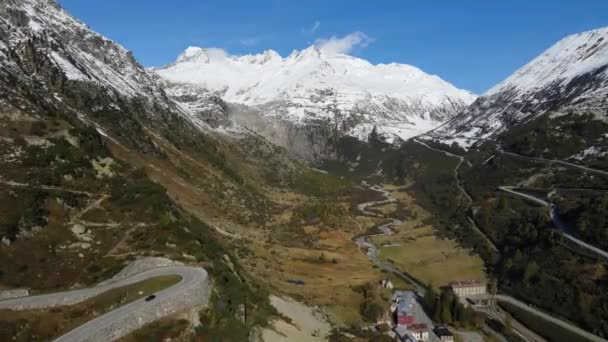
x,y
571,76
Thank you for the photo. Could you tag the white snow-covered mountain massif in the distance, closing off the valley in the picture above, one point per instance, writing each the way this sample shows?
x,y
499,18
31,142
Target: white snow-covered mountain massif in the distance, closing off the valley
x,y
313,85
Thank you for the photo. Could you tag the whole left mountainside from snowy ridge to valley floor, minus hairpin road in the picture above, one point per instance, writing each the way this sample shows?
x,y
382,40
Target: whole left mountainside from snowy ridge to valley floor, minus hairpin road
x,y
98,166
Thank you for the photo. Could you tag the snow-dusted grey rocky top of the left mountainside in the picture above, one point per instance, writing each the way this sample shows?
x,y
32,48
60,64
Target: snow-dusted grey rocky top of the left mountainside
x,y
70,46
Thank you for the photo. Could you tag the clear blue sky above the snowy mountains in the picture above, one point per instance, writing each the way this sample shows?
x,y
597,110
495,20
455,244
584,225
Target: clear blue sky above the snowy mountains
x,y
473,44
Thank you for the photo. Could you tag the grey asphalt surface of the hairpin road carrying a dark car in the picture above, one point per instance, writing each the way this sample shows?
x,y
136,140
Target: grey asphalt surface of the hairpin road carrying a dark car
x,y
192,277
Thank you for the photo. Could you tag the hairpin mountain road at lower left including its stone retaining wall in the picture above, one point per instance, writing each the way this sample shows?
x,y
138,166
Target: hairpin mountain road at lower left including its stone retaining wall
x,y
191,292
